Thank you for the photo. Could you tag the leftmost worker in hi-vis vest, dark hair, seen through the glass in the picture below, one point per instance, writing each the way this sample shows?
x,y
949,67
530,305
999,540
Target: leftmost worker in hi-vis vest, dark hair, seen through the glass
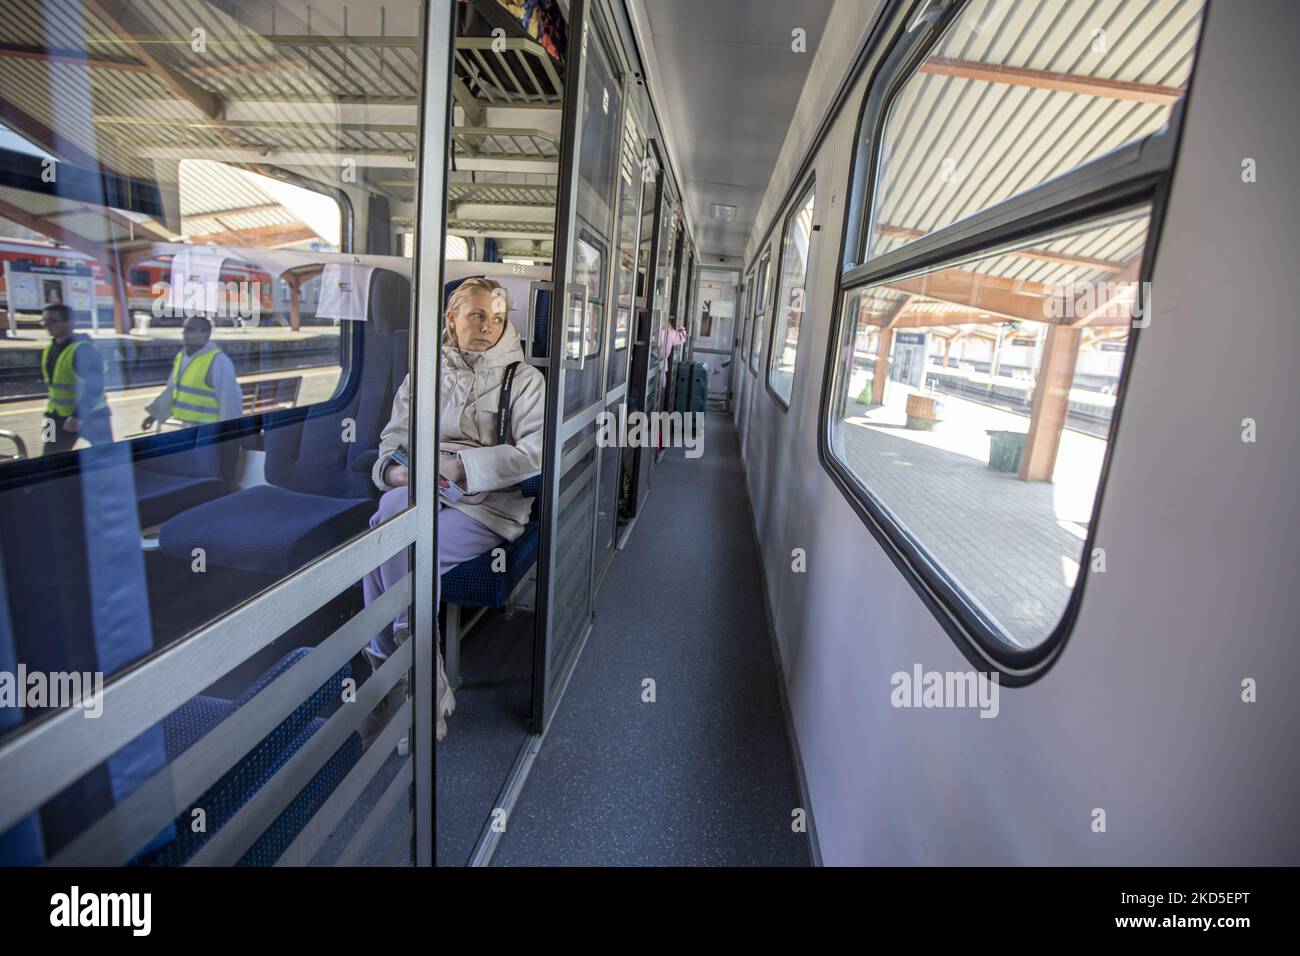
x,y
73,371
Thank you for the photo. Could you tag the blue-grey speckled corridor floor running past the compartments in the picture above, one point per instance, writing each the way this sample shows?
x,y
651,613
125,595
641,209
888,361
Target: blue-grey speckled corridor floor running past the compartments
x,y
704,775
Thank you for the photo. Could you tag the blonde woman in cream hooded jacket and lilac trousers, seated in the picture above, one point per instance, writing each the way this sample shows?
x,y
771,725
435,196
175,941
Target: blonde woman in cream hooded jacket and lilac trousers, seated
x,y
483,460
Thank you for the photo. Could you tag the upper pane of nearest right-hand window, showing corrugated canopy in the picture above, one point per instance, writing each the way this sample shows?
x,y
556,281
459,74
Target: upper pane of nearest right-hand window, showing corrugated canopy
x,y
1016,94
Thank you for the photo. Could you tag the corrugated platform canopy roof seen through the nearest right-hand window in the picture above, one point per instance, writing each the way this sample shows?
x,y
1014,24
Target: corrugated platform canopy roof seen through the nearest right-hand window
x,y
1013,97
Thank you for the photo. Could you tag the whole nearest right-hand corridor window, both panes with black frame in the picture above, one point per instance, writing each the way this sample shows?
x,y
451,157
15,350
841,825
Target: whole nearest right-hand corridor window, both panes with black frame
x,y
977,377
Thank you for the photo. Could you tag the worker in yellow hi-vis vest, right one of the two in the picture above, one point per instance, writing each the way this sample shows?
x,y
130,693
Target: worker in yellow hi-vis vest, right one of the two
x,y
202,387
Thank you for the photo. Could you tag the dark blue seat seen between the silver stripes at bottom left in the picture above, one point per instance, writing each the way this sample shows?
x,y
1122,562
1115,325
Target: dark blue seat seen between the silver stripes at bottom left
x,y
200,716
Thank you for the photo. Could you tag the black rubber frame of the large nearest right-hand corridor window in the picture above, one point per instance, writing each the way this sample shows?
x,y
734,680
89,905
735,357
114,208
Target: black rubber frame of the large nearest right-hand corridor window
x,y
1138,174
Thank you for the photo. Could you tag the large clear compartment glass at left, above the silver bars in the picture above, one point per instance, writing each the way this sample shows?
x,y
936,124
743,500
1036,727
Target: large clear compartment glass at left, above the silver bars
x,y
210,370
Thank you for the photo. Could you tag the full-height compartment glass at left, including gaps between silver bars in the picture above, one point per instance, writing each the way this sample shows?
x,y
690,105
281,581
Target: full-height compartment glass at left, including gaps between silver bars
x,y
197,377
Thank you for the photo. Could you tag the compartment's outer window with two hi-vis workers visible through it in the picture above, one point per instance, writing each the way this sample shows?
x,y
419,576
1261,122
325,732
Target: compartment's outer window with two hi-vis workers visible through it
x,y
194,332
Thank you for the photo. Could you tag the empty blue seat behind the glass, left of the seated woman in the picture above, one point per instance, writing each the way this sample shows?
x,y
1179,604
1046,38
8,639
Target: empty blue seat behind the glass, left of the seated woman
x,y
315,496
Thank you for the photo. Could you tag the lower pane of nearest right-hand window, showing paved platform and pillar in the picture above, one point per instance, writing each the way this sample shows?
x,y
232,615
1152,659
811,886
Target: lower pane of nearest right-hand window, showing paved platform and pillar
x,y
974,406
